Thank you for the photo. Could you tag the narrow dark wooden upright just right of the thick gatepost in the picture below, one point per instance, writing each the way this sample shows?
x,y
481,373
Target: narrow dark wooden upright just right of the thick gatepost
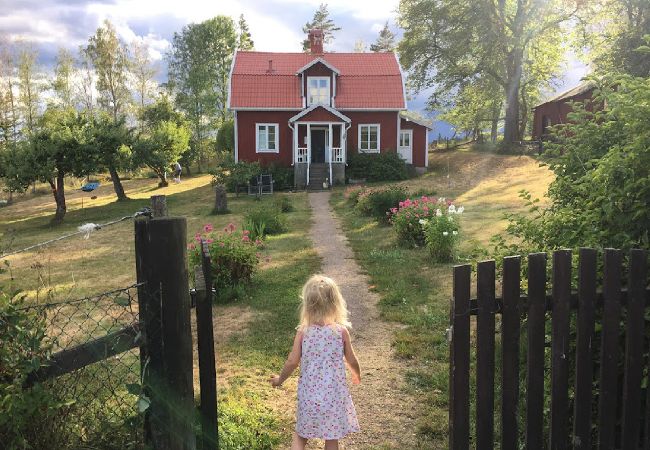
x,y
207,367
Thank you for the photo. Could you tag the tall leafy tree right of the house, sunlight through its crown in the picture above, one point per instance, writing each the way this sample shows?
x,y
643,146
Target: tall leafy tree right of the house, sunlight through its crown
x,y
447,43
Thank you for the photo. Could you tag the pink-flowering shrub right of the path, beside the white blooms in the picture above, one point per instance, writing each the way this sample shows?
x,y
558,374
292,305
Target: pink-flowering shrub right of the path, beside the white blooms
x,y
407,216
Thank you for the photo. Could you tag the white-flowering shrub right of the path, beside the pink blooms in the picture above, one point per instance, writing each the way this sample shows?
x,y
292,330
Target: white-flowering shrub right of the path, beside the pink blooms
x,y
441,234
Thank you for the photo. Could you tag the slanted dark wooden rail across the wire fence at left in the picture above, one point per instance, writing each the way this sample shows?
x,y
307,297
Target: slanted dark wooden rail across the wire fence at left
x,y
83,355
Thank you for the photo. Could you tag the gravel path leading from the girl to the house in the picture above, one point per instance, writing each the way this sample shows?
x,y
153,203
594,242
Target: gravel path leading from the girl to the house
x,y
386,412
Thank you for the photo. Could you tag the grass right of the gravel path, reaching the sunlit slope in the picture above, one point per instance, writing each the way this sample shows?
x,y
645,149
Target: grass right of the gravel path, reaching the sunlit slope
x,y
415,291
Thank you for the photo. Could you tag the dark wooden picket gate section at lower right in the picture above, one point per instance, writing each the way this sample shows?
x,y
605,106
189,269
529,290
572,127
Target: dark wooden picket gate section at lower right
x,y
609,334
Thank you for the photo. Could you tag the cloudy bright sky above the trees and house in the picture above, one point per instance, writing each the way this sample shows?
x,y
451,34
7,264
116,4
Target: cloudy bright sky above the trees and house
x,y
275,25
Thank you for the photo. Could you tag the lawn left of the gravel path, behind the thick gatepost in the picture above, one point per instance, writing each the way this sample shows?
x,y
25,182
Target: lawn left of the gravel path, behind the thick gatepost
x,y
76,267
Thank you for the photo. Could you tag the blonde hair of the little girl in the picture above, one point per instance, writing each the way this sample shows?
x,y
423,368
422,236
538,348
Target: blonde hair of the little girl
x,y
322,302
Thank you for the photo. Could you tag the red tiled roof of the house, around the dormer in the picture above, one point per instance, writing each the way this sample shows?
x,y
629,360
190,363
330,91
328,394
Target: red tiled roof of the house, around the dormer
x,y
366,80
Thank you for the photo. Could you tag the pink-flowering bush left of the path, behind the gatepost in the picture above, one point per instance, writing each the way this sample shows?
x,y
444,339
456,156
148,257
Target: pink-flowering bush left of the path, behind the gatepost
x,y
234,256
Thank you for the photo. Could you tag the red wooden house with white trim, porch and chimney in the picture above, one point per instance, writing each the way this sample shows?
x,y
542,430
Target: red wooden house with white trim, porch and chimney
x,y
311,110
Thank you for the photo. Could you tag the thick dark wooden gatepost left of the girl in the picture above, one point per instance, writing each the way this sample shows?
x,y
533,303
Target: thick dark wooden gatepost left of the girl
x,y
161,263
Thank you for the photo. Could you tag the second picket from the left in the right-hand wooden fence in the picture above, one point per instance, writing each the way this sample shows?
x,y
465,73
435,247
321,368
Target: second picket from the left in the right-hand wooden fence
x,y
485,356
